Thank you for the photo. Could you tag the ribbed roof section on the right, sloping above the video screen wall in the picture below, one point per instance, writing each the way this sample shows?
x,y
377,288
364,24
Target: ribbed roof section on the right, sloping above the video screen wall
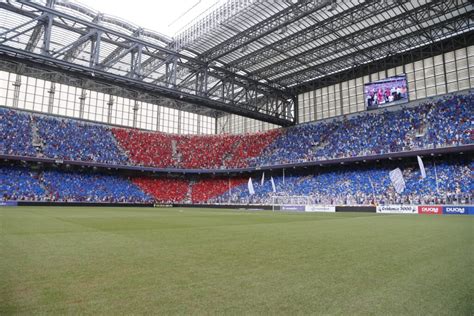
x,y
292,42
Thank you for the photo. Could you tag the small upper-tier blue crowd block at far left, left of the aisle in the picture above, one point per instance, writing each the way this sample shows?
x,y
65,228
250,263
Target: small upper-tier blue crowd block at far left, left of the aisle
x,y
15,133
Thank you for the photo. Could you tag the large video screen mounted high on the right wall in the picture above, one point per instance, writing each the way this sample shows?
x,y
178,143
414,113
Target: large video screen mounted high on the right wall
x,y
389,91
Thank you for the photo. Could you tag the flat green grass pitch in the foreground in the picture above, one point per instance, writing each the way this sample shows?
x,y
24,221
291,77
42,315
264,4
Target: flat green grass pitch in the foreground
x,y
201,261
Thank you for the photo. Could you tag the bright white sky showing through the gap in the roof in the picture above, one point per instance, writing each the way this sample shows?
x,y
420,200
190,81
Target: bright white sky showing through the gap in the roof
x,y
167,17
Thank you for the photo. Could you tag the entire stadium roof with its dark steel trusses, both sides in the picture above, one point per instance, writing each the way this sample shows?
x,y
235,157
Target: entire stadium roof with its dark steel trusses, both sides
x,y
247,57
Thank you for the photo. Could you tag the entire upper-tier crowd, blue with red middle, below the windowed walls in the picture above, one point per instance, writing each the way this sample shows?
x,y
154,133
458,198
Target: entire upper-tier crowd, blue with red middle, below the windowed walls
x,y
442,121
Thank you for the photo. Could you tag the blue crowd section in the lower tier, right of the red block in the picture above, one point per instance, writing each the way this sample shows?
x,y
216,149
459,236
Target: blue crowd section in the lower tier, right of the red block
x,y
445,182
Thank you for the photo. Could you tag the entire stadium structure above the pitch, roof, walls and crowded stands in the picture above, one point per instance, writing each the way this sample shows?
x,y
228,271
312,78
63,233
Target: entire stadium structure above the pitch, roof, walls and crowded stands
x,y
276,87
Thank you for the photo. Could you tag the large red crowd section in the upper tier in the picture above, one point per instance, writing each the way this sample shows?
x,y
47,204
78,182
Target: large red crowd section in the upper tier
x,y
193,151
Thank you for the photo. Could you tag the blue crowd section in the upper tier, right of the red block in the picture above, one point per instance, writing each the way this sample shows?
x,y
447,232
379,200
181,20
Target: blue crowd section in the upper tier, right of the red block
x,y
442,121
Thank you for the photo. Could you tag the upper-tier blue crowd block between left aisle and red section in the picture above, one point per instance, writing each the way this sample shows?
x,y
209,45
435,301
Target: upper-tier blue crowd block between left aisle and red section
x,y
75,140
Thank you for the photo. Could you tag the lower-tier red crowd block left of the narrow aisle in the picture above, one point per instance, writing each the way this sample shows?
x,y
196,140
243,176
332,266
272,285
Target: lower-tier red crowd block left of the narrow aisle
x,y
165,190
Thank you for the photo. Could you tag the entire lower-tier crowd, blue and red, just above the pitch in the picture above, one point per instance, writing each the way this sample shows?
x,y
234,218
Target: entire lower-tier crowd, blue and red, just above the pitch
x,y
448,181
